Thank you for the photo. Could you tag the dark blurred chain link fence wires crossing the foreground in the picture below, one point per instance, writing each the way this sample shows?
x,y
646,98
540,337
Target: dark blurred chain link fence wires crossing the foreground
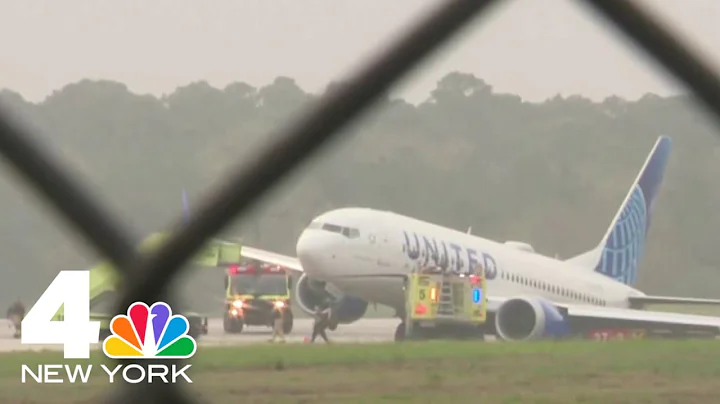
x,y
146,277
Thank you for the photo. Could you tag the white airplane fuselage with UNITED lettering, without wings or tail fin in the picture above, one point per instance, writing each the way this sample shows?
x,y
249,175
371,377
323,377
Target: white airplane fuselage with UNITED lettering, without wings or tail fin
x,y
379,248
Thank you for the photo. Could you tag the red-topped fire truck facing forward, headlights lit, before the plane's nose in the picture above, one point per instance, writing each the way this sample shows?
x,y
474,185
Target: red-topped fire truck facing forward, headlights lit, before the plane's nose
x,y
252,290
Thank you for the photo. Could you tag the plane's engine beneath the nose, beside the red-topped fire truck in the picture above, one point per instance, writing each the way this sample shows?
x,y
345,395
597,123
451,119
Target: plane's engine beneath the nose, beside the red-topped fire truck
x,y
344,309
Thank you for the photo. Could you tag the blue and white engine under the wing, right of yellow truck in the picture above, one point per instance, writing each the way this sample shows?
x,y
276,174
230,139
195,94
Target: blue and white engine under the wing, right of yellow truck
x,y
524,318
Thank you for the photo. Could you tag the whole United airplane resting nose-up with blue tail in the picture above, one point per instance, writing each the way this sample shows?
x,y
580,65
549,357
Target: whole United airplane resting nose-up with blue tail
x,y
361,255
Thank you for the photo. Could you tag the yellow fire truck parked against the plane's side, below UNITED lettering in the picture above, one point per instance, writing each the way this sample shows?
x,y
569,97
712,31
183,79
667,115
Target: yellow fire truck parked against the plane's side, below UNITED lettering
x,y
442,304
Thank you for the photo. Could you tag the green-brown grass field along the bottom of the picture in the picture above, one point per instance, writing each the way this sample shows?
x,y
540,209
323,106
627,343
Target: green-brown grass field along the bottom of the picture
x,y
657,372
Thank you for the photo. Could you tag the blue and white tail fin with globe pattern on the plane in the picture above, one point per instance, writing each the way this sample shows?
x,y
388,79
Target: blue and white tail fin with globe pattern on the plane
x,y
620,250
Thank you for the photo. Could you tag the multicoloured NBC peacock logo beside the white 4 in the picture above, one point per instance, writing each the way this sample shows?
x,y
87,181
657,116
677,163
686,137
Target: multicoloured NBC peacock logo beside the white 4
x,y
149,332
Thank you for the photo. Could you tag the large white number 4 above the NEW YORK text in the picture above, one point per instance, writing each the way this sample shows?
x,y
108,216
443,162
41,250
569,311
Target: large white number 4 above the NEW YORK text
x,y
76,332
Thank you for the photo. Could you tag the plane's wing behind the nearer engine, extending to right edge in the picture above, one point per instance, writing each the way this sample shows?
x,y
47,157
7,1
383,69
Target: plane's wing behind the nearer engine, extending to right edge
x,y
582,316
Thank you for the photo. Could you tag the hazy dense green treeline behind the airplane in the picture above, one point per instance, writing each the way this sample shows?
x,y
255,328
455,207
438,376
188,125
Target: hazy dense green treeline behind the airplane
x,y
551,174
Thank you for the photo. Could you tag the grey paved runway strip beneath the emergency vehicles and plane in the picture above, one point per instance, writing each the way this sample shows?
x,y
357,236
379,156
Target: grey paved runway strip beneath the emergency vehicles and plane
x,y
362,331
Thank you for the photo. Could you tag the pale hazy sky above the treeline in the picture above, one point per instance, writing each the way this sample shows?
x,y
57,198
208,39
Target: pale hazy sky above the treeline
x,y
535,48
